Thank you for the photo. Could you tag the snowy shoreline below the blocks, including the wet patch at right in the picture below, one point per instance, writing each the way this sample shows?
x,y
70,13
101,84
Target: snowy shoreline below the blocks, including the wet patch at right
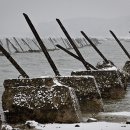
x,y
104,121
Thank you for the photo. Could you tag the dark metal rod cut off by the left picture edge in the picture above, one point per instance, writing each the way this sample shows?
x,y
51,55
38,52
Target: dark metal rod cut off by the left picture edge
x,y
14,63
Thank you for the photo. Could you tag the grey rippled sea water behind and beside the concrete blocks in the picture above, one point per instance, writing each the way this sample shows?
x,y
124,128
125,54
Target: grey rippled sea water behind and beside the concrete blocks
x,y
35,65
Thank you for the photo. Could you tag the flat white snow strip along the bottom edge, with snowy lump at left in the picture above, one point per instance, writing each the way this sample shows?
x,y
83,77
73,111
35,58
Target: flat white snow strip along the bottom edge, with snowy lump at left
x,y
80,126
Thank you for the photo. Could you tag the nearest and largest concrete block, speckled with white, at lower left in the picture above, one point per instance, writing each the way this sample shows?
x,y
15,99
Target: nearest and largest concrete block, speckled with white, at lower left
x,y
41,100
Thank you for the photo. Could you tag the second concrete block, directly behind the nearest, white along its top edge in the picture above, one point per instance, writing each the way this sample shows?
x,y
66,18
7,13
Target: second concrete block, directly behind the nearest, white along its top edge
x,y
87,92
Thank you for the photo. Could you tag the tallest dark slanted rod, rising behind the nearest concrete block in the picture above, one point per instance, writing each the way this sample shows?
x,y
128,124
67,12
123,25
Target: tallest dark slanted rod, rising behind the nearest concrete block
x,y
43,47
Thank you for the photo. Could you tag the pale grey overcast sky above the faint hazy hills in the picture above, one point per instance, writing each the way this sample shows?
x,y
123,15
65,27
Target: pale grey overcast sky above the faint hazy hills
x,y
12,22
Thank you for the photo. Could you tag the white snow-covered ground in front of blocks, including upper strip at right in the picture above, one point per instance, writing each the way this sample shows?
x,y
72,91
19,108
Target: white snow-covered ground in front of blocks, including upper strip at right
x,y
94,125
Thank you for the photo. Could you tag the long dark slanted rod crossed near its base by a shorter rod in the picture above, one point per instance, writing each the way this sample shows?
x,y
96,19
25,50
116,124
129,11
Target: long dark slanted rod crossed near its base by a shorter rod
x,y
73,45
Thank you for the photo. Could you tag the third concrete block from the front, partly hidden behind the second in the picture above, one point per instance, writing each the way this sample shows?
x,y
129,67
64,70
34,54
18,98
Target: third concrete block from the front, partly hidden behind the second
x,y
109,82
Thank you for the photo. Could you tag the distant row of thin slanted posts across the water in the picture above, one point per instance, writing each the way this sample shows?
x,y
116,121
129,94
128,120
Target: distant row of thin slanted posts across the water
x,y
21,45
